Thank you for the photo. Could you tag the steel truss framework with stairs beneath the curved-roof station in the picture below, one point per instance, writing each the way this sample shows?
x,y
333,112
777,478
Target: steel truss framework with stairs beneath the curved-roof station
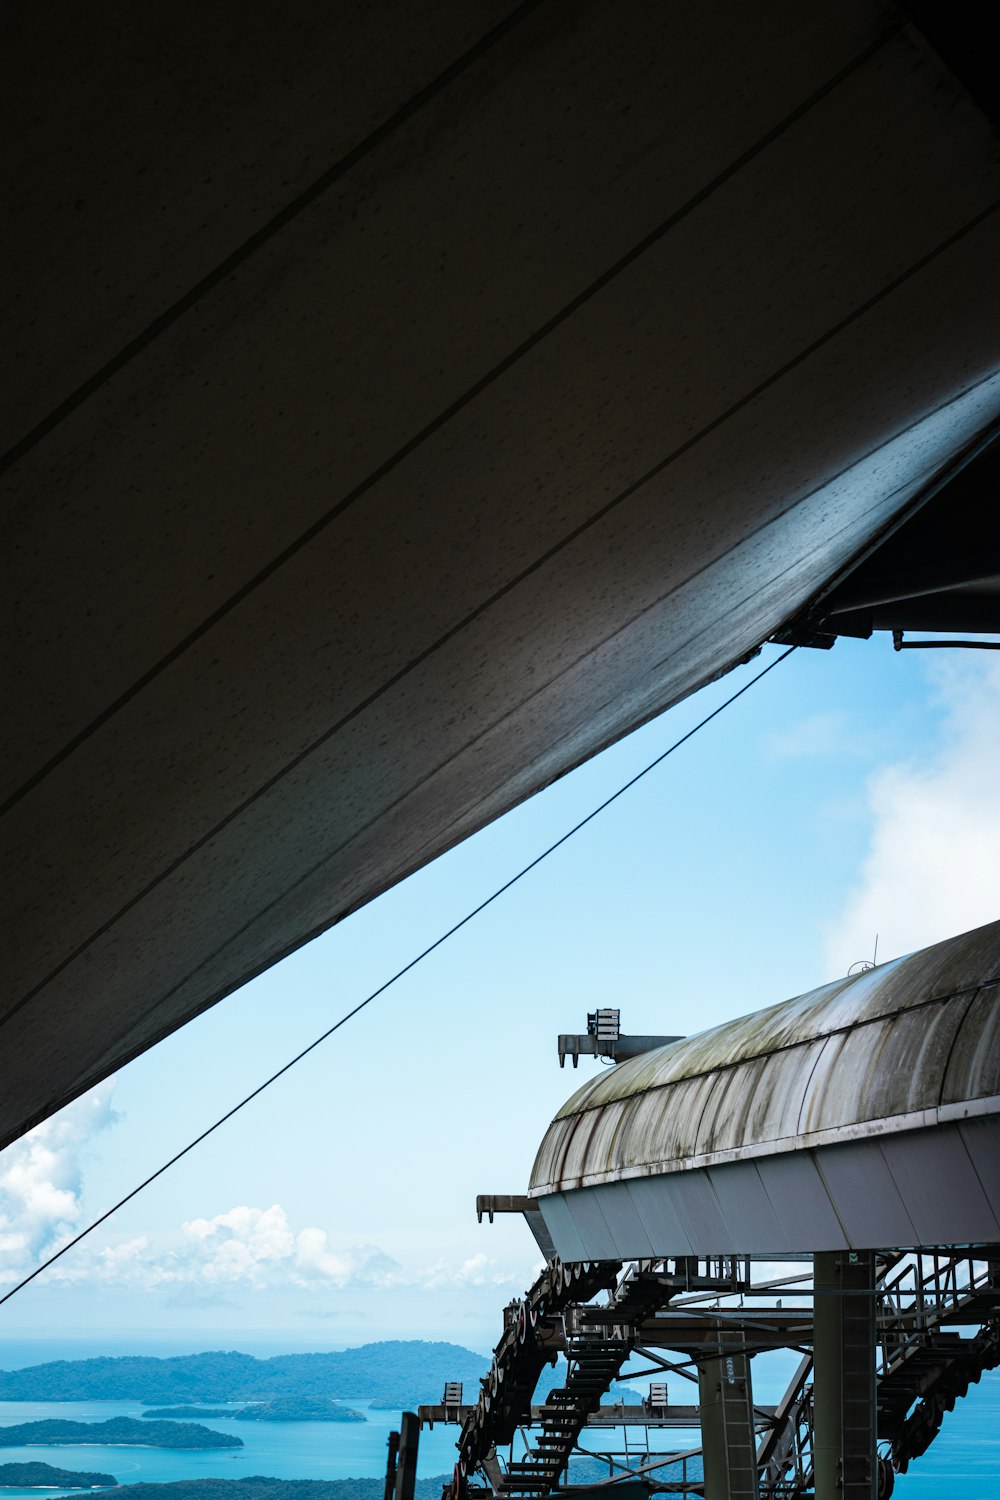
x,y
911,1333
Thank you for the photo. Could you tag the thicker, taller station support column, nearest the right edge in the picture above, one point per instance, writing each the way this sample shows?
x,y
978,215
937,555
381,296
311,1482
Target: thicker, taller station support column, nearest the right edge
x,y
845,1376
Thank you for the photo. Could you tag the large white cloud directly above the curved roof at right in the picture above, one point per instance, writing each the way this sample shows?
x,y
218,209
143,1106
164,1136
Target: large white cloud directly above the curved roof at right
x,y
933,865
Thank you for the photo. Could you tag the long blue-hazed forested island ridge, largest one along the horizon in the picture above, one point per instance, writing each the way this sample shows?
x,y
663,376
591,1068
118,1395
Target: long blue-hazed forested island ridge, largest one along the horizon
x,y
397,1372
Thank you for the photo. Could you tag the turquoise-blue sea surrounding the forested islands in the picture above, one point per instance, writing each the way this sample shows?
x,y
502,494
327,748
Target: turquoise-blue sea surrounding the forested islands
x,y
962,1465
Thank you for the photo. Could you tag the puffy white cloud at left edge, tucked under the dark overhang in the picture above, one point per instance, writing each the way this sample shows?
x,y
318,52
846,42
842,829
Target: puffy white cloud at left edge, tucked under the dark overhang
x,y
41,1181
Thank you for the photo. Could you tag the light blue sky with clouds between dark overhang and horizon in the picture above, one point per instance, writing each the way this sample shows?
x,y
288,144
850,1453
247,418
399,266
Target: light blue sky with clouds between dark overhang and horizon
x,y
851,793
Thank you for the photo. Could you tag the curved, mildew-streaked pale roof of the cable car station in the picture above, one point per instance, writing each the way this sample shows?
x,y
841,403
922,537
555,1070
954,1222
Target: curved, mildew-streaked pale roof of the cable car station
x,y
912,1043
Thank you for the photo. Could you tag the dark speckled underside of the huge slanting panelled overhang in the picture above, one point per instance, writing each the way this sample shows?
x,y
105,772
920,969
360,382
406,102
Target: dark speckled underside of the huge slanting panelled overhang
x,y
407,410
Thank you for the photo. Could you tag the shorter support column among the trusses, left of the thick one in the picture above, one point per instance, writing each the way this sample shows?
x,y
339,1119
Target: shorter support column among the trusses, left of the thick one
x,y
729,1445
